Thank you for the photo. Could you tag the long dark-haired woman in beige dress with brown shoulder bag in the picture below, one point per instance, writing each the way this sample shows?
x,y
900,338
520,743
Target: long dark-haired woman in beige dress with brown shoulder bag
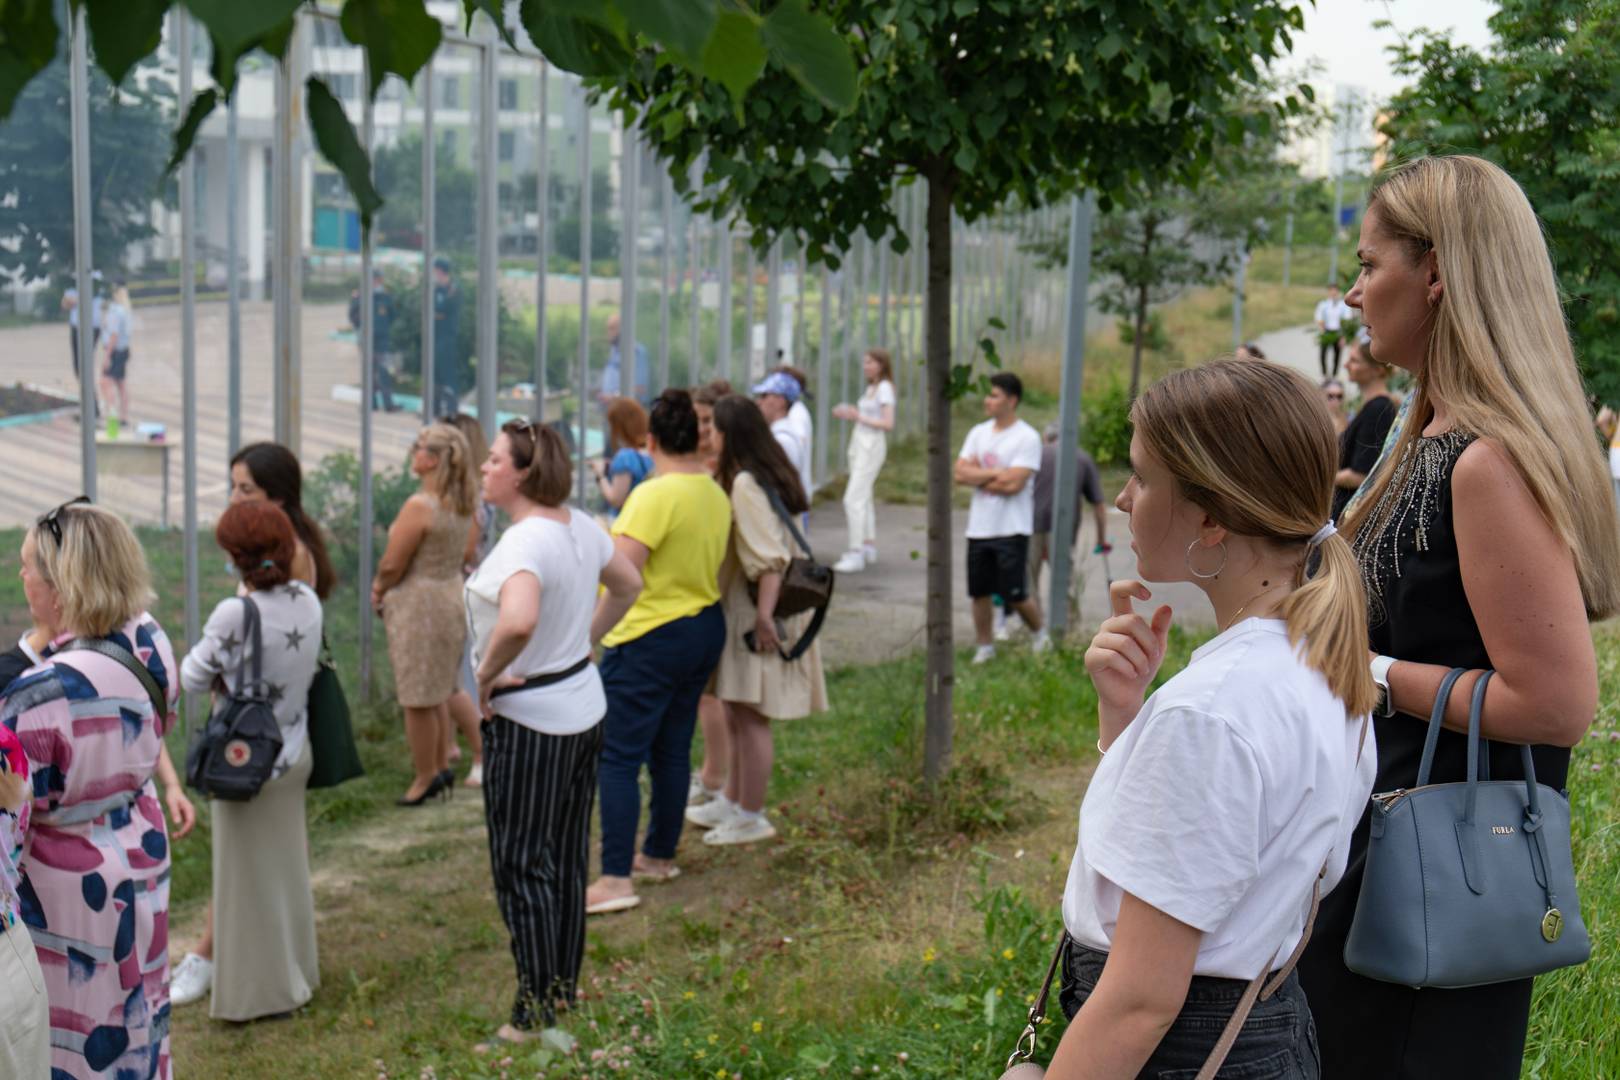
x,y
756,681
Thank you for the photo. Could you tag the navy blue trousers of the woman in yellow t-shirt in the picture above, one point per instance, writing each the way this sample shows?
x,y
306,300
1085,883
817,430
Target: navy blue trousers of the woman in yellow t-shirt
x,y
654,686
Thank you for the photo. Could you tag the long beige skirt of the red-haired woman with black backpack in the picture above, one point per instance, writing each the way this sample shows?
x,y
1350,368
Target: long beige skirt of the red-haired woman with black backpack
x,y
265,956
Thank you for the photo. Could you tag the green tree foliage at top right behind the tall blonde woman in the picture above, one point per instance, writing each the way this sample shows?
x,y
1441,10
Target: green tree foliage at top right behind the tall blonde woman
x,y
1545,104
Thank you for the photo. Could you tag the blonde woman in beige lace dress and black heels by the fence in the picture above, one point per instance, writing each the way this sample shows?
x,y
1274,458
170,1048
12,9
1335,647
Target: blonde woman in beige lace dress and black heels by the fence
x,y
419,592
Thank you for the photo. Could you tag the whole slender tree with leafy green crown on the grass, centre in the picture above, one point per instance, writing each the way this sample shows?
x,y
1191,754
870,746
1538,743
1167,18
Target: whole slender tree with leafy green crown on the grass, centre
x,y
987,103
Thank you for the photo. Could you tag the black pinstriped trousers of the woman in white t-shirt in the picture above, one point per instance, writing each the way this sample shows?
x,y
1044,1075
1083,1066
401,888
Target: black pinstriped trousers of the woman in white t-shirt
x,y
539,797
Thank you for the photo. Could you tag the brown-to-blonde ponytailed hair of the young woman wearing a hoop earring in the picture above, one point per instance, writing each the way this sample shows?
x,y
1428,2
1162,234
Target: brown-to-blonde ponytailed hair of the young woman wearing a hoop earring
x,y
1250,443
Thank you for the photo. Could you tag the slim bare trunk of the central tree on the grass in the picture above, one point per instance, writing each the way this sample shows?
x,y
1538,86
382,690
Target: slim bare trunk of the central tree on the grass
x,y
942,658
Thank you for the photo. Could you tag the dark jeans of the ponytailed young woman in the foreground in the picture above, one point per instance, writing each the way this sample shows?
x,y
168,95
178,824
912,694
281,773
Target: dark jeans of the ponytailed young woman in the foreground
x,y
1277,1040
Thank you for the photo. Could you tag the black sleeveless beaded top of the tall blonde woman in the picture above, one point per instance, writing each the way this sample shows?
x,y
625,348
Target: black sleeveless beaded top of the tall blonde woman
x,y
1418,611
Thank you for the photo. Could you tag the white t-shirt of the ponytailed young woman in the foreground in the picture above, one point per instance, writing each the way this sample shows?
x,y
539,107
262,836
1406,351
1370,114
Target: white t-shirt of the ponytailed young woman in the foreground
x,y
1222,801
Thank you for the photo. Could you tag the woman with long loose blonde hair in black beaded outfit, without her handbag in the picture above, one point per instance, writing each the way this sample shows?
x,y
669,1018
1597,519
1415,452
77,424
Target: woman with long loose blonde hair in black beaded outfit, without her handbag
x,y
1486,542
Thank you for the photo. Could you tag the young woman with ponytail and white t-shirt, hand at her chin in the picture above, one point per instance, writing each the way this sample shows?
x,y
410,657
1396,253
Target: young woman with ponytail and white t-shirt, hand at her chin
x,y
1221,799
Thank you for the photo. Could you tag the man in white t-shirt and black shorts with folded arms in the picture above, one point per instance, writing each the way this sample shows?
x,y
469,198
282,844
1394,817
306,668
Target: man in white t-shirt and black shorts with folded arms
x,y
999,462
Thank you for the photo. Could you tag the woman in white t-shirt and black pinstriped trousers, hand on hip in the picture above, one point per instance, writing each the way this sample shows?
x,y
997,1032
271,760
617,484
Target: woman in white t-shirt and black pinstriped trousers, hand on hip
x,y
534,618
